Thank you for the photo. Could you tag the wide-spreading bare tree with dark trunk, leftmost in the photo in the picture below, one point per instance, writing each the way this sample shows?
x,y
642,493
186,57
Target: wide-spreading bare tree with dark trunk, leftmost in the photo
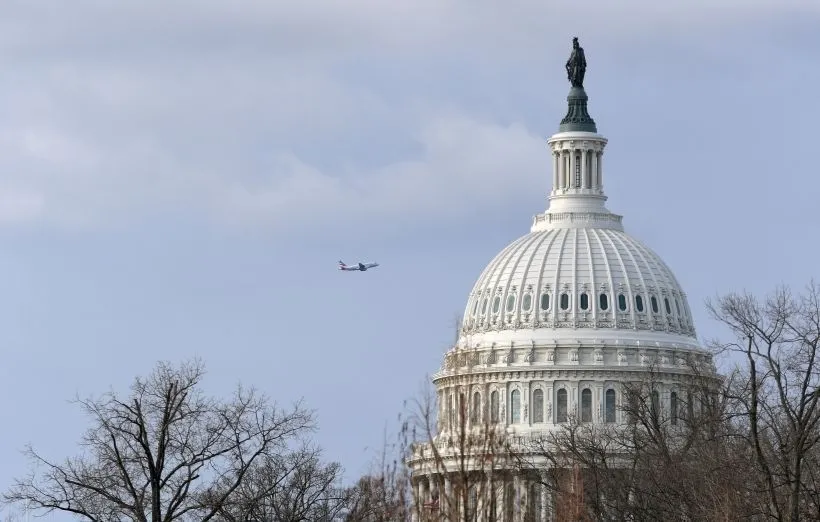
x,y
164,453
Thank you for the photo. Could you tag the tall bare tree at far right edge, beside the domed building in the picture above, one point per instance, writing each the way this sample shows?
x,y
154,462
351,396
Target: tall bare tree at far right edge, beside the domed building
x,y
776,395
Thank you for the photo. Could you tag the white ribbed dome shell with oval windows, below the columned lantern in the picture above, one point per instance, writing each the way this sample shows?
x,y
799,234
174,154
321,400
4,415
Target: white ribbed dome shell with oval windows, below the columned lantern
x,y
552,284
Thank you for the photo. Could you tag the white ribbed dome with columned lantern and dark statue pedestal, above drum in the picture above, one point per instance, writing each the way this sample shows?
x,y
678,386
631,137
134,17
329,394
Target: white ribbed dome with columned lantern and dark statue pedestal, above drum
x,y
578,279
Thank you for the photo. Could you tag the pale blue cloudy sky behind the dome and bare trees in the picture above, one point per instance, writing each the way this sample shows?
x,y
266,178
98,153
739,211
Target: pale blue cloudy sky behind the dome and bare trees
x,y
179,179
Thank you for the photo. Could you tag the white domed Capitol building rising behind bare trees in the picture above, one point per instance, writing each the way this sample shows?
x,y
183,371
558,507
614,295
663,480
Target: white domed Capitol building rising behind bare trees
x,y
555,325
